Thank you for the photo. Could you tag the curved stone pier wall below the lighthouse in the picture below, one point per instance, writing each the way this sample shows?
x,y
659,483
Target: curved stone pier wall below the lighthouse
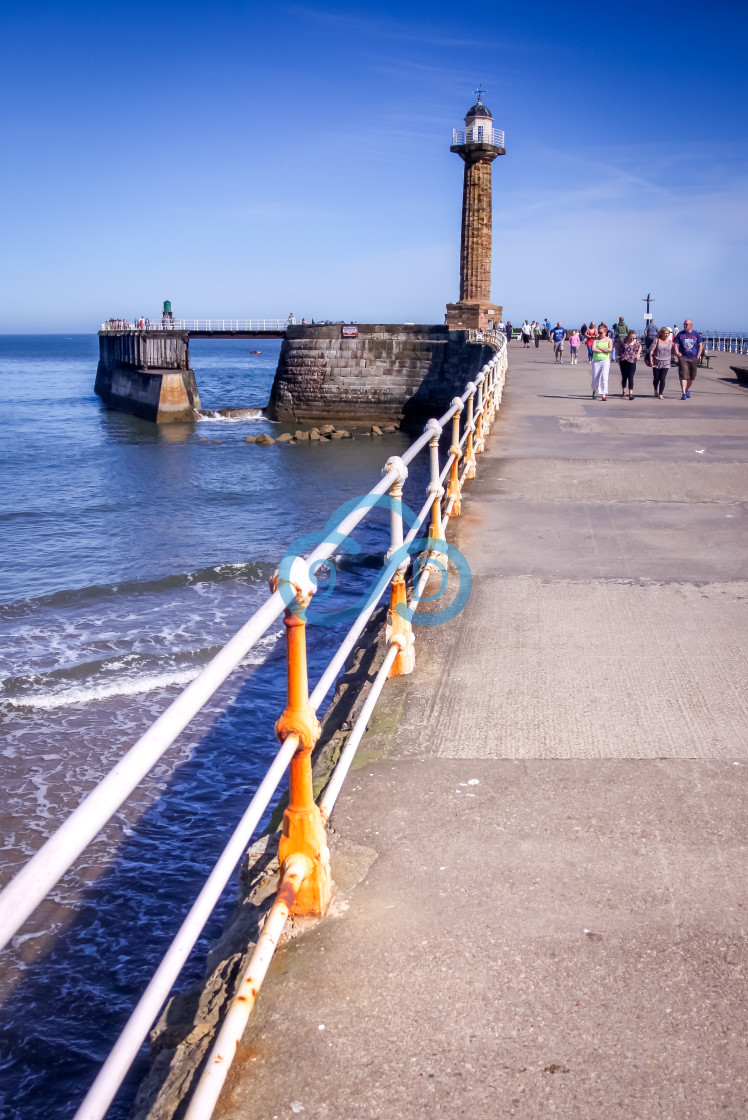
x,y
392,374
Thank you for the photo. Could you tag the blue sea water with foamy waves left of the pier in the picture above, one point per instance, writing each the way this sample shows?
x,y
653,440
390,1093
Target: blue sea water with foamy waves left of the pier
x,y
129,555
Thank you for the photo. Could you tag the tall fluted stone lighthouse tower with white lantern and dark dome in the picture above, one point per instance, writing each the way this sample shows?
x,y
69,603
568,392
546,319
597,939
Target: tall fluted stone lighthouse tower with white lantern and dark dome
x,y
479,146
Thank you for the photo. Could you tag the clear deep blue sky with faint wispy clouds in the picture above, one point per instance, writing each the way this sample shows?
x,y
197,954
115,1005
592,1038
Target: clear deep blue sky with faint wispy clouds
x,y
250,160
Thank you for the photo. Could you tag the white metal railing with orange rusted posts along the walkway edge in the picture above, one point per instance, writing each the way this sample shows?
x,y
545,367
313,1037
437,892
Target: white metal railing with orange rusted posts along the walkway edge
x,y
305,885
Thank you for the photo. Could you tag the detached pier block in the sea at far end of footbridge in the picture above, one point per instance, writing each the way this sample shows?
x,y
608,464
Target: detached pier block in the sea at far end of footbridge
x,y
147,374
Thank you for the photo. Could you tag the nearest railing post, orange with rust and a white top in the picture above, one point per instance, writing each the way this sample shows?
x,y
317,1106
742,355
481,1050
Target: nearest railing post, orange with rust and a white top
x,y
304,833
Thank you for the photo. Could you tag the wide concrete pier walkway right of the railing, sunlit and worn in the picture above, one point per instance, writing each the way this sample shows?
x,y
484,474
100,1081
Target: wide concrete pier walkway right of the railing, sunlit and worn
x,y
550,814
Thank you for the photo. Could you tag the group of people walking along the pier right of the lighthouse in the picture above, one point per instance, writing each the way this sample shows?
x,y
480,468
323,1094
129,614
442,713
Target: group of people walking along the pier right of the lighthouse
x,y
623,344
